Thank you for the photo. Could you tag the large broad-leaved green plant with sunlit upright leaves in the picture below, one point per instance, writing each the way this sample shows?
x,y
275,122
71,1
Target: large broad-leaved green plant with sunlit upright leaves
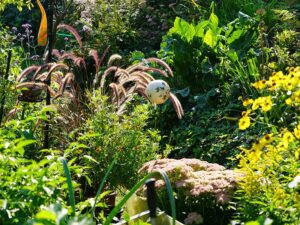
x,y
197,51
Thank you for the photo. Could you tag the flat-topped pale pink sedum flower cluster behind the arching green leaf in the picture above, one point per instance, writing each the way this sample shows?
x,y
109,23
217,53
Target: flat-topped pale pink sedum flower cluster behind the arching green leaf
x,y
196,178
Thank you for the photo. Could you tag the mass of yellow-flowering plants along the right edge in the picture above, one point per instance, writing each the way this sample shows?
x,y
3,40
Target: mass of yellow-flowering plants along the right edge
x,y
270,184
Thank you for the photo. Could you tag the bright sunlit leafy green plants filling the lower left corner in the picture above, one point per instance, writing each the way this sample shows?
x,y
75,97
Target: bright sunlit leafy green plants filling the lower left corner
x,y
26,183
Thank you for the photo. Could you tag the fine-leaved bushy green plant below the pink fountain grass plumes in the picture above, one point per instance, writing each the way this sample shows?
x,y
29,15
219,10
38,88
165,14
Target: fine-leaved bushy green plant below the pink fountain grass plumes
x,y
106,137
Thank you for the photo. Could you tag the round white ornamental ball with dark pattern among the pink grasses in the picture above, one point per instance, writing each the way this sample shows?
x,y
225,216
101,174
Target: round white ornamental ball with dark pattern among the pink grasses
x,y
158,91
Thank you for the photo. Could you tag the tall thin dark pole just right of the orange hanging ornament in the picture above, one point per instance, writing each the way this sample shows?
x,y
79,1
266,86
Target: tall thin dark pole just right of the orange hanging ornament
x,y
48,60
